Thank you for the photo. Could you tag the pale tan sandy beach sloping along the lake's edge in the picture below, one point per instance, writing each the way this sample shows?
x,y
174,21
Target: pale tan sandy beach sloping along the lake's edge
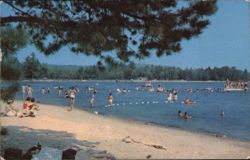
x,y
56,127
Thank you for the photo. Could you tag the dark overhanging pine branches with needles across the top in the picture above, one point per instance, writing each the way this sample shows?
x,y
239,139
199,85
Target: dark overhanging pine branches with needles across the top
x,y
95,27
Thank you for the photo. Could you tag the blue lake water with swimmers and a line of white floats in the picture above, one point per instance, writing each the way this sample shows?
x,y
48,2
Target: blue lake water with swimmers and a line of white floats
x,y
150,107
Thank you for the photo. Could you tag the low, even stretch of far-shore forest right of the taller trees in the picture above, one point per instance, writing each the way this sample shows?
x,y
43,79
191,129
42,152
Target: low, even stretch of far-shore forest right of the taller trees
x,y
131,71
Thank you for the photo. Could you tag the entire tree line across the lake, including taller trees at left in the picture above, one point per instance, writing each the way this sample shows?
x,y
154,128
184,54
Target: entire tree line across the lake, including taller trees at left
x,y
31,68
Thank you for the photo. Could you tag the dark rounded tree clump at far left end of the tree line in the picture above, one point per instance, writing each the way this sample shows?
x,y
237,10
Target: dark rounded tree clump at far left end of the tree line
x,y
10,68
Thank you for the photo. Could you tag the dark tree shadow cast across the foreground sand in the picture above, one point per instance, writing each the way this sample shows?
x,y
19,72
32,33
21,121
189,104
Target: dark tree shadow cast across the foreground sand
x,y
23,138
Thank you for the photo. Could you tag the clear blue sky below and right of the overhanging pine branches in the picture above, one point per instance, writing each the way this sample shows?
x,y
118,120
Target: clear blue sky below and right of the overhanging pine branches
x,y
226,42
